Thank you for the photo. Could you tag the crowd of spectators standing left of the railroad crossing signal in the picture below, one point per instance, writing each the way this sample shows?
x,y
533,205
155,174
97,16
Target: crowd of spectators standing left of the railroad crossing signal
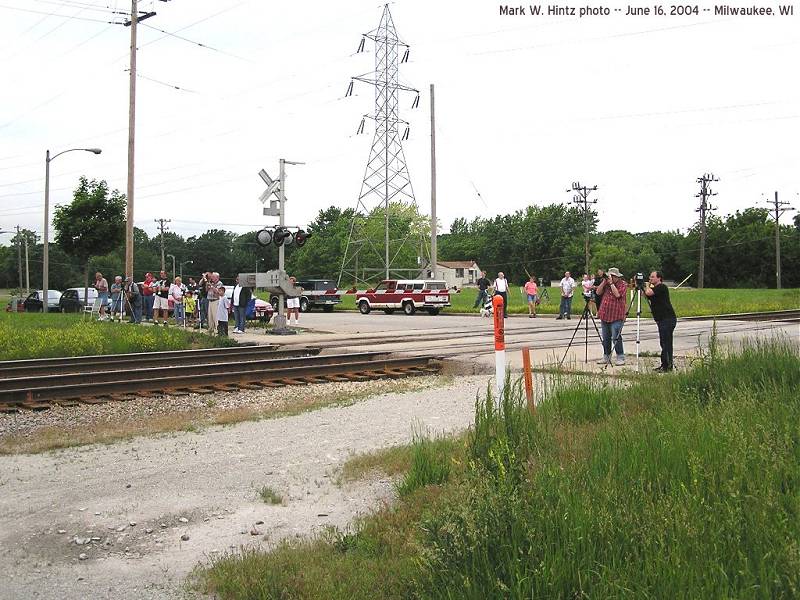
x,y
201,304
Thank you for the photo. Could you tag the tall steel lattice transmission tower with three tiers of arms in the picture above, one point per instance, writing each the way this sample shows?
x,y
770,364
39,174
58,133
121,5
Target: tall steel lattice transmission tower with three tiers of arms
x,y
386,178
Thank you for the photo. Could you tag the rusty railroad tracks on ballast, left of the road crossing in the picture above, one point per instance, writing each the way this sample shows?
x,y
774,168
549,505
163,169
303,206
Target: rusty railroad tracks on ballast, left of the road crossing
x,y
38,384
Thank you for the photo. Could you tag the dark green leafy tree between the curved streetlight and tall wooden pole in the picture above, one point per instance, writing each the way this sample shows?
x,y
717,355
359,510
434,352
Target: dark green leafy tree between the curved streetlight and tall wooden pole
x,y
92,225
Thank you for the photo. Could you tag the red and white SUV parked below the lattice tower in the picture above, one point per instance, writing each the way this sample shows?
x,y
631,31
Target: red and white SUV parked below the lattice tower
x,y
409,295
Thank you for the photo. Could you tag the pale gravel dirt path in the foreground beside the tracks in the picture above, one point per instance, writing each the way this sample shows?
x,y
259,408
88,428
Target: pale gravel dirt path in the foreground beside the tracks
x,y
108,521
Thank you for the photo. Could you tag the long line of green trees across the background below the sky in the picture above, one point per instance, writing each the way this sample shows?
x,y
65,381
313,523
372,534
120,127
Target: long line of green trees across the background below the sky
x,y
540,240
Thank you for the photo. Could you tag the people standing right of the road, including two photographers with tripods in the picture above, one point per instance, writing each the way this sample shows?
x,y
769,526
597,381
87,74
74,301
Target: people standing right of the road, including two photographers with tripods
x,y
606,298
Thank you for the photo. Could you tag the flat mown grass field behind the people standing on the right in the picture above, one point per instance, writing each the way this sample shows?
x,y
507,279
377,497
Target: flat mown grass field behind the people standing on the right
x,y
687,302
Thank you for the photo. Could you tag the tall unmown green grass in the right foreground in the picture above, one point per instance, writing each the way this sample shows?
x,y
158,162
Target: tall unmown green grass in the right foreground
x,y
687,486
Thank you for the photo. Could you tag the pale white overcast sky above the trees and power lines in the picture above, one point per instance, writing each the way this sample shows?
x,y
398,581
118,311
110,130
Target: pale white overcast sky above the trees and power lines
x,y
639,106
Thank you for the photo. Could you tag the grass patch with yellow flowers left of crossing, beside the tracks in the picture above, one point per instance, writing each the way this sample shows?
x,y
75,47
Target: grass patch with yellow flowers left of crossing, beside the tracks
x,y
30,335
